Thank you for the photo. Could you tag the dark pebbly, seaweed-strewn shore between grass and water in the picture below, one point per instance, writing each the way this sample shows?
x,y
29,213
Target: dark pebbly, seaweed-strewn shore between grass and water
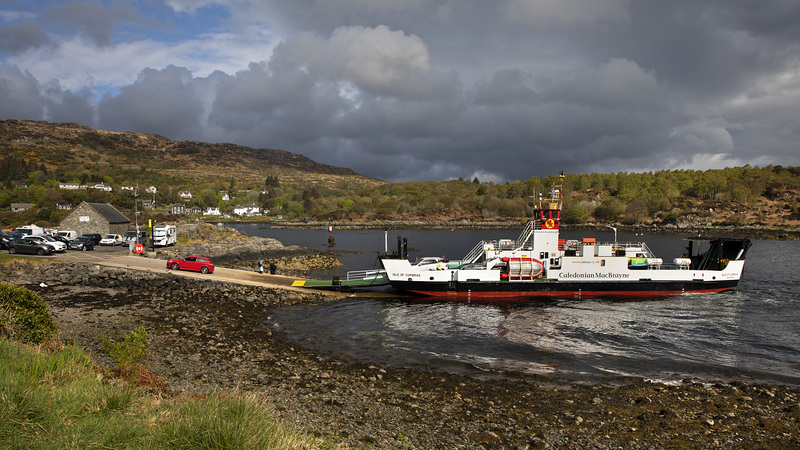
x,y
207,336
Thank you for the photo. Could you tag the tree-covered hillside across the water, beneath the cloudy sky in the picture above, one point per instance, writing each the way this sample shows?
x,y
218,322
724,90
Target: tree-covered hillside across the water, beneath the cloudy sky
x,y
39,158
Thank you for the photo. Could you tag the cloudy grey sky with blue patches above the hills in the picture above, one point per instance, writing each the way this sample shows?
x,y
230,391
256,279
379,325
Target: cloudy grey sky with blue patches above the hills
x,y
417,90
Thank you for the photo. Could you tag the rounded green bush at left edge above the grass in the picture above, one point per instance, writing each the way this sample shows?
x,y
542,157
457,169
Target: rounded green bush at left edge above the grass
x,y
24,315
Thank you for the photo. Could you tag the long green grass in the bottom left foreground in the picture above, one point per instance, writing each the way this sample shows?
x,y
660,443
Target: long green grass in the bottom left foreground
x,y
57,400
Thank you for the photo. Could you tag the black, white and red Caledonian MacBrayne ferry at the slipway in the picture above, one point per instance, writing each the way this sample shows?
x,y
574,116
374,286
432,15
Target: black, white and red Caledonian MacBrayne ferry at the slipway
x,y
540,264
